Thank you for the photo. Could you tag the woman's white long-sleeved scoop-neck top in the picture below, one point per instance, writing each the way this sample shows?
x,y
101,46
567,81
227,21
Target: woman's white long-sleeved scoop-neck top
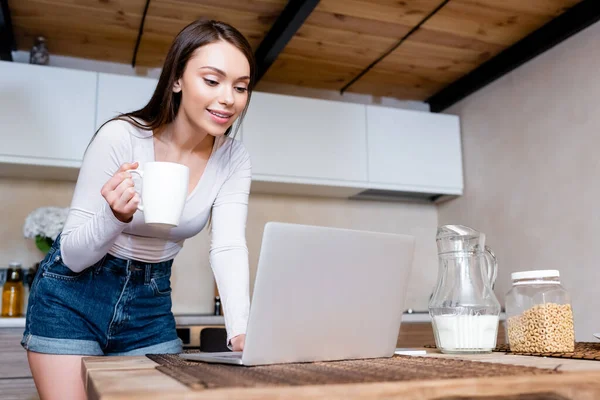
x,y
92,230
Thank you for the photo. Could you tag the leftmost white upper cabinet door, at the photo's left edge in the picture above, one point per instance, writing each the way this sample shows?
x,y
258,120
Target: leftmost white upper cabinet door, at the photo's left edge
x,y
46,113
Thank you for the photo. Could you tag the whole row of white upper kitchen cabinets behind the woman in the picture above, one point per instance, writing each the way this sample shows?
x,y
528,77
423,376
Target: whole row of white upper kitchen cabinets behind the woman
x,y
298,146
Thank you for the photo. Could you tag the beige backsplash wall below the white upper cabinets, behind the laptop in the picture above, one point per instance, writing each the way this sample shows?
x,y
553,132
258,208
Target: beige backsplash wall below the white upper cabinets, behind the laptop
x,y
193,284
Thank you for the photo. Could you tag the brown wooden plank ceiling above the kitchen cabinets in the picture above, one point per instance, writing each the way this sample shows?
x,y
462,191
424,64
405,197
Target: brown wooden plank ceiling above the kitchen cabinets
x,y
338,40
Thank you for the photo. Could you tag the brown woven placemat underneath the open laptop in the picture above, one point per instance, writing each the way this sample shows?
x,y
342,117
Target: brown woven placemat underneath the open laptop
x,y
198,375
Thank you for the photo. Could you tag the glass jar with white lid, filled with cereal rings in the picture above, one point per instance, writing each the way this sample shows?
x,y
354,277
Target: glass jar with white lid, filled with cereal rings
x,y
539,314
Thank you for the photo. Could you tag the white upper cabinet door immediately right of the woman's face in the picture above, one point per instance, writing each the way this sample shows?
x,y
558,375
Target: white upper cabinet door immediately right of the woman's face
x,y
305,138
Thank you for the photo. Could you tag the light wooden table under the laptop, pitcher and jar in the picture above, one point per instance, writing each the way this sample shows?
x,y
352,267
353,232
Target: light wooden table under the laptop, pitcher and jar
x,y
128,378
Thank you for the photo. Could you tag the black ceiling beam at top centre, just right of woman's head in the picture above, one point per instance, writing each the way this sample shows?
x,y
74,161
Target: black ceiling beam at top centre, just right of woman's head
x,y
285,27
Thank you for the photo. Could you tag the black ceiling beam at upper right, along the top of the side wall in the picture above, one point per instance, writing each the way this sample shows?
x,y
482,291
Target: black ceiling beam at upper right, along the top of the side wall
x,y
578,17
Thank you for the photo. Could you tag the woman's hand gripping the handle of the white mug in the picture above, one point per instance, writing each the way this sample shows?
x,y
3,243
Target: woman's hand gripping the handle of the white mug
x,y
120,193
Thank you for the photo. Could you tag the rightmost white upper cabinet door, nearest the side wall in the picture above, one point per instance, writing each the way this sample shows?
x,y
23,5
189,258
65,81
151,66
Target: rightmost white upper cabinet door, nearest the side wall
x,y
414,150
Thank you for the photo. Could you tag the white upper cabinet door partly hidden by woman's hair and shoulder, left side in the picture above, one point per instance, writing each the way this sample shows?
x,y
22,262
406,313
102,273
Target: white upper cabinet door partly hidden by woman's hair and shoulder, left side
x,y
119,94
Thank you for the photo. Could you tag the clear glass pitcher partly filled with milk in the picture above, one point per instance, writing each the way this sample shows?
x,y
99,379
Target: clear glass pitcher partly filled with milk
x,y
463,308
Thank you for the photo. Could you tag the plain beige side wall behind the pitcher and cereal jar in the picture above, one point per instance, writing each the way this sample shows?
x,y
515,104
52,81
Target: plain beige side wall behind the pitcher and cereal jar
x,y
532,171
